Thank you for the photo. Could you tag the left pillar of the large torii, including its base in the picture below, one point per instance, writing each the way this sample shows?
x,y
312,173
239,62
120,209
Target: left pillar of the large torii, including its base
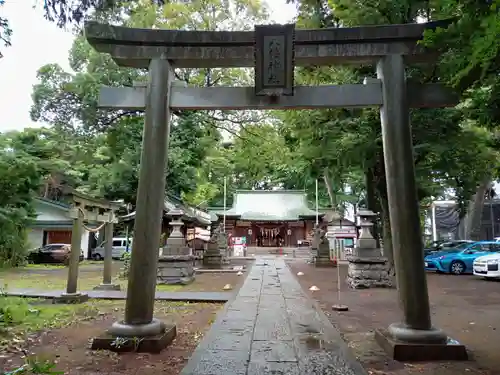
x,y
139,322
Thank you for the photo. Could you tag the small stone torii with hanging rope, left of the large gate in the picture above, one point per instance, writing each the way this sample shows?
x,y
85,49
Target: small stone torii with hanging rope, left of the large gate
x,y
90,210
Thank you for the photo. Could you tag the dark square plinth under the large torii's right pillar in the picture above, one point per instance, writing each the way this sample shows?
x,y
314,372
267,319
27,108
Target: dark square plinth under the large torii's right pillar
x,y
402,351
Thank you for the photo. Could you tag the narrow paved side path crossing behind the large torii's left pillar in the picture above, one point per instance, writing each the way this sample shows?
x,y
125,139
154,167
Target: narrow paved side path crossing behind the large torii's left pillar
x,y
113,294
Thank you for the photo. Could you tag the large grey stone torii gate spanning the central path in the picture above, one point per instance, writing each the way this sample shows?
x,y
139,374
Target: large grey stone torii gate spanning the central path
x,y
273,51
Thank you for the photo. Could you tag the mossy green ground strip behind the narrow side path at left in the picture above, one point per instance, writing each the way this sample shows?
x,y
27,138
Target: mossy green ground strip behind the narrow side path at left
x,y
90,275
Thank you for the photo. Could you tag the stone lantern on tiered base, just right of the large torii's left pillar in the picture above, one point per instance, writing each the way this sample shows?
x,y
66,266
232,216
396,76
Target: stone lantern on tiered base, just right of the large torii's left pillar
x,y
176,263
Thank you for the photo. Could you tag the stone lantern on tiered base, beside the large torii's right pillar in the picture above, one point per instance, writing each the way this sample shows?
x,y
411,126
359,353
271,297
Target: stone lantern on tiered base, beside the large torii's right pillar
x,y
367,267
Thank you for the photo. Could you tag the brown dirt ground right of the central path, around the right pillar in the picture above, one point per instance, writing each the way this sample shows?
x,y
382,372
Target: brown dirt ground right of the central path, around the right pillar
x,y
465,307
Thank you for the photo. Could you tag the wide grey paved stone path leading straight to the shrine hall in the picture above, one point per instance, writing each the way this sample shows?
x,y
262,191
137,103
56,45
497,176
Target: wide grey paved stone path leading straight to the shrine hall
x,y
272,327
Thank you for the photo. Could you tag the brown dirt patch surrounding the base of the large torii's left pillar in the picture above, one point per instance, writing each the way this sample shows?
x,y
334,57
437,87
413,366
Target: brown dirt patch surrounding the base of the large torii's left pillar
x,y
69,347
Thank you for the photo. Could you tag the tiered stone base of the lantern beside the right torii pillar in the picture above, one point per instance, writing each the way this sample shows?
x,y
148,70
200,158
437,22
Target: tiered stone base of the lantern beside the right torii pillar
x,y
364,273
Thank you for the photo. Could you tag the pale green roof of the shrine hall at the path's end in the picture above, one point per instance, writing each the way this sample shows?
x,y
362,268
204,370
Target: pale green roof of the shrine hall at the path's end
x,y
270,205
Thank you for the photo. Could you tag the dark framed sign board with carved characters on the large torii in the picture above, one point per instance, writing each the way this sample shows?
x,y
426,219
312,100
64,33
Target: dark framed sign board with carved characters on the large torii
x,y
274,60
